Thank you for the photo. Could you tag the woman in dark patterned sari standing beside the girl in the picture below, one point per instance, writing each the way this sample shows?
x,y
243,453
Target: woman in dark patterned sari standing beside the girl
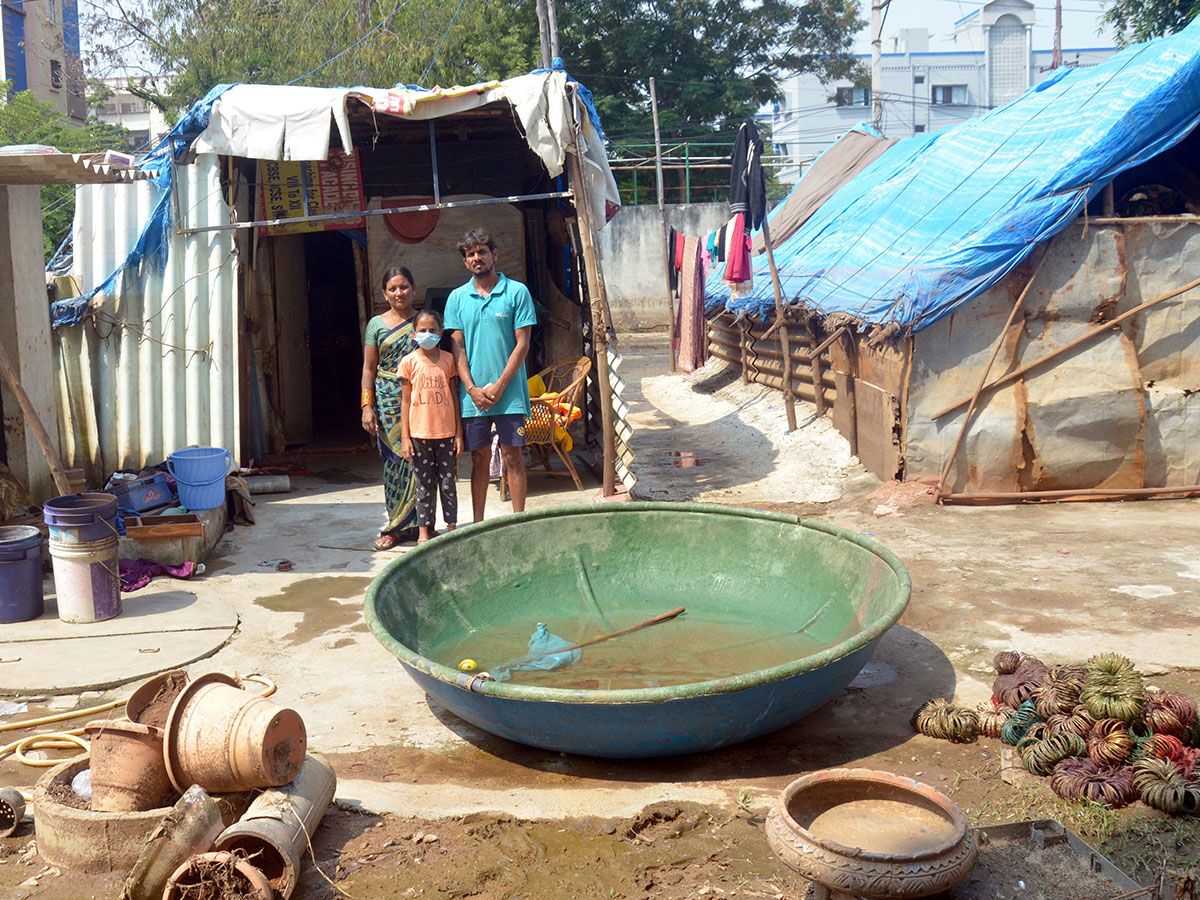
x,y
389,338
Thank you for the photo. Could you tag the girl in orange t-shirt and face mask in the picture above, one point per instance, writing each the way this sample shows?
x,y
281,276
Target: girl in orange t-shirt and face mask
x,y
431,425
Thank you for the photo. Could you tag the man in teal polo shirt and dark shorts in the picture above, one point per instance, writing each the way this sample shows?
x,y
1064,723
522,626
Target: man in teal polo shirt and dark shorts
x,y
490,319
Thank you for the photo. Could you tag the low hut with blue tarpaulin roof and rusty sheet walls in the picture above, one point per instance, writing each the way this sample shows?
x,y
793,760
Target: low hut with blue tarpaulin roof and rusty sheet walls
x,y
1036,265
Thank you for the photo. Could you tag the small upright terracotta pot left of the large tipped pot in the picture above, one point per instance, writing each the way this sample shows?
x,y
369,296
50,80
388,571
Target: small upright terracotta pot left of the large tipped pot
x,y
128,769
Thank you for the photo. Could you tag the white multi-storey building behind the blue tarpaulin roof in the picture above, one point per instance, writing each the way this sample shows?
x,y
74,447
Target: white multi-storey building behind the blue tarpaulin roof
x,y
992,64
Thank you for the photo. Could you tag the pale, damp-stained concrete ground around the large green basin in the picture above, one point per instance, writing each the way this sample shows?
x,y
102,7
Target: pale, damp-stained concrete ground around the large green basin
x,y
1059,581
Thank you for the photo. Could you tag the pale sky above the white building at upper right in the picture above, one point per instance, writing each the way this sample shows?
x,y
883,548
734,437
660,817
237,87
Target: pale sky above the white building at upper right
x,y
1081,22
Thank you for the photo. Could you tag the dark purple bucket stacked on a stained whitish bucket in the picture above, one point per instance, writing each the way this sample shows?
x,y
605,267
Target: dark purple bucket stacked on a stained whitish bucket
x,y
85,551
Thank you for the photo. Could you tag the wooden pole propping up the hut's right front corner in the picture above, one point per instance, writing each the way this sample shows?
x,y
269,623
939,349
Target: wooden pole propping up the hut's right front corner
x,y
598,307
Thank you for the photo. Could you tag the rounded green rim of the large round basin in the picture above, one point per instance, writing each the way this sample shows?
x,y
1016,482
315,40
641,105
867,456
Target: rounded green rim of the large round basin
x,y
641,695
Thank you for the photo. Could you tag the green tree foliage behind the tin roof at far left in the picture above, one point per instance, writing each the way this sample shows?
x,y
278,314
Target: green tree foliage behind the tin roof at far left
x,y
26,119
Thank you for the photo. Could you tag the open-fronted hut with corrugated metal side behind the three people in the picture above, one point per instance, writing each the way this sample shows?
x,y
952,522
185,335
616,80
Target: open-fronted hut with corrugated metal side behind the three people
x,y
224,302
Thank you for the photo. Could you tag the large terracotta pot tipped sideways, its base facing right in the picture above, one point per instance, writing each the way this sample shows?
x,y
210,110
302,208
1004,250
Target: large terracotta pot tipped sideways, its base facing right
x,y
224,739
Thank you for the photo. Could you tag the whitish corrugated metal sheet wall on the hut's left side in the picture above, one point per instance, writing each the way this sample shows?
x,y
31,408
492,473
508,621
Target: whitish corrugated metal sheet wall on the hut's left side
x,y
157,368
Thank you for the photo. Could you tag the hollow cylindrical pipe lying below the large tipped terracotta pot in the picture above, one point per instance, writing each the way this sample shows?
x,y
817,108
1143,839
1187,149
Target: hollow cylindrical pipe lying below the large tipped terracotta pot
x,y
279,826
